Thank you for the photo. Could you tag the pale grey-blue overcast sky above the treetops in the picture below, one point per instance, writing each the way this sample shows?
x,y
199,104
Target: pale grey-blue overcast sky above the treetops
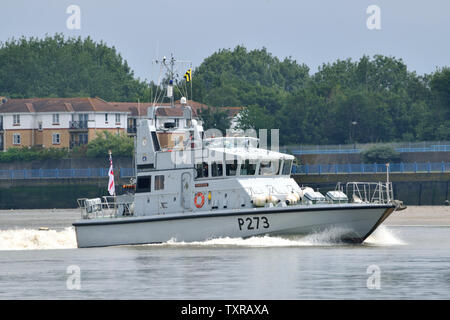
x,y
312,32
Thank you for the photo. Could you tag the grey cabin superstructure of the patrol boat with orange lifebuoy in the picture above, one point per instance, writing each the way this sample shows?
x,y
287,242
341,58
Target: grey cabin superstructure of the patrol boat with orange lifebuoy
x,y
178,170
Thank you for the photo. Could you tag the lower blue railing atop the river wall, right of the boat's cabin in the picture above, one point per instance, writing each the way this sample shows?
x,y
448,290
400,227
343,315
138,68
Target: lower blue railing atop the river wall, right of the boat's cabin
x,y
371,168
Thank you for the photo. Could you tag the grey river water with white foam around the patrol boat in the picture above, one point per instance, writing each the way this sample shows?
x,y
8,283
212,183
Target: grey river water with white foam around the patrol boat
x,y
397,262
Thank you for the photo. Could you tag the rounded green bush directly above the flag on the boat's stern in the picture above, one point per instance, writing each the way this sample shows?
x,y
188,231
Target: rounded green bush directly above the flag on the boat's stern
x,y
120,145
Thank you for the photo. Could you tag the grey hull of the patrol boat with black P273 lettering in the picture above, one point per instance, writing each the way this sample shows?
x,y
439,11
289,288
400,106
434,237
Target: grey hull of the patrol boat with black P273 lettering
x,y
357,222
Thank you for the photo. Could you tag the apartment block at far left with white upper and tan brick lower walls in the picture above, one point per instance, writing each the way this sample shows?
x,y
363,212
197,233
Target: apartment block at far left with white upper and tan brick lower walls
x,y
57,122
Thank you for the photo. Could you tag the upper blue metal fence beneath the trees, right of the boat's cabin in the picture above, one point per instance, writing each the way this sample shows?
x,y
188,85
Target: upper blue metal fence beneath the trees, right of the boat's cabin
x,y
426,146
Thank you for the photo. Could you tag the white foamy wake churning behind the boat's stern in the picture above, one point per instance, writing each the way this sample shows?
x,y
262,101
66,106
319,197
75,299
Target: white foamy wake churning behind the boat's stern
x,y
32,239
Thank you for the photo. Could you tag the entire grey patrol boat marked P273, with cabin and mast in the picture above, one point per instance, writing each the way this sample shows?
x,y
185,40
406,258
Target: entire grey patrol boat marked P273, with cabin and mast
x,y
192,187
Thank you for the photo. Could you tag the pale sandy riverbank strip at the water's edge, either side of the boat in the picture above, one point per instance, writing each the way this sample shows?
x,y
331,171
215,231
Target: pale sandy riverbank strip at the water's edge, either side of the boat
x,y
63,218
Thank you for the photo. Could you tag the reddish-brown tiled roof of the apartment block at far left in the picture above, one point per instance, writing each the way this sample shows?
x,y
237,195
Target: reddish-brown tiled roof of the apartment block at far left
x,y
57,105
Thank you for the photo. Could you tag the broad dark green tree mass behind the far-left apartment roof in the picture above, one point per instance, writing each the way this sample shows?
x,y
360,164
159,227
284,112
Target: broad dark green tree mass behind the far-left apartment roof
x,y
59,67
